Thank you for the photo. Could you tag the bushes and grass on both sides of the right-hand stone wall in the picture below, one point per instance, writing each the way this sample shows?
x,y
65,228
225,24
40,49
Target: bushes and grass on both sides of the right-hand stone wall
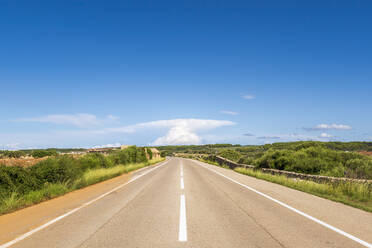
x,y
336,159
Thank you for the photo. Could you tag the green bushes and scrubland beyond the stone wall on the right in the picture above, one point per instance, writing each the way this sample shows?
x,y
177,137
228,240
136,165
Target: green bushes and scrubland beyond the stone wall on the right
x,y
337,159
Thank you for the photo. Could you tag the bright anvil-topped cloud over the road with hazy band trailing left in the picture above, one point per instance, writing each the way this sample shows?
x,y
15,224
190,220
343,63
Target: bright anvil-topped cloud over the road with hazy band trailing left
x,y
173,131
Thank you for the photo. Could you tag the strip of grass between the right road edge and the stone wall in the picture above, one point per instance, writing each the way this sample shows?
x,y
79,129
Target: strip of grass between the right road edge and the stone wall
x,y
353,194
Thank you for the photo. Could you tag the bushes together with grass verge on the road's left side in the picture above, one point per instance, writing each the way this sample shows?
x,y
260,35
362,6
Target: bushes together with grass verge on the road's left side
x,y
57,175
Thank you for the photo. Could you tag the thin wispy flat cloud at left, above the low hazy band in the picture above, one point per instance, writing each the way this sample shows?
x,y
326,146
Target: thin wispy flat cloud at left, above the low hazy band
x,y
79,120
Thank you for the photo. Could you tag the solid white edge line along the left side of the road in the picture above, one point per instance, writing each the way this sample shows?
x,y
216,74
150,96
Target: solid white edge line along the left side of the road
x,y
23,236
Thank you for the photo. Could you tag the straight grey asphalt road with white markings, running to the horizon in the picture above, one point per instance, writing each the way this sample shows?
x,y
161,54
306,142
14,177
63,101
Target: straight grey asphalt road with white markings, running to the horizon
x,y
185,203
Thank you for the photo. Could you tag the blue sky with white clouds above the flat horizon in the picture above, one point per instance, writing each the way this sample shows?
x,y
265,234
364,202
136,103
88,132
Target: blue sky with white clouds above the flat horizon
x,y
94,73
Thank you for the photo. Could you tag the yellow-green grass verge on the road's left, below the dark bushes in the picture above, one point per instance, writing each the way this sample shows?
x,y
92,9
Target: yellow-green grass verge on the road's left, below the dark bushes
x,y
49,191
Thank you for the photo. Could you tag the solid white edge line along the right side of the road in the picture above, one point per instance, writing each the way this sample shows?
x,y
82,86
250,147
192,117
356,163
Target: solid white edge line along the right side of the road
x,y
362,242
